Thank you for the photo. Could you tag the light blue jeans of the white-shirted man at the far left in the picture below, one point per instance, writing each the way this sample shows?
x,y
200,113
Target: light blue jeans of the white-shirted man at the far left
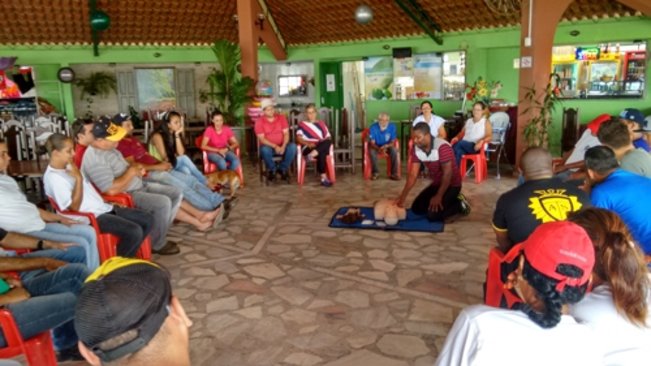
x,y
82,235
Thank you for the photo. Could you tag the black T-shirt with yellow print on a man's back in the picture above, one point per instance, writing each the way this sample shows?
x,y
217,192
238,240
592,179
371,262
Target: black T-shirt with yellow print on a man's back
x,y
520,210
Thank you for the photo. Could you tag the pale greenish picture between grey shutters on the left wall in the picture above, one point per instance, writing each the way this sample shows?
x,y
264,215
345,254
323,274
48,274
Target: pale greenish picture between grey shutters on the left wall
x,y
156,89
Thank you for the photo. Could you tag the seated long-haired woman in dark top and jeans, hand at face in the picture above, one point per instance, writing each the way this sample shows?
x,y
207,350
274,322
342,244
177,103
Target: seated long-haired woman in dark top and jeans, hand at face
x,y
166,144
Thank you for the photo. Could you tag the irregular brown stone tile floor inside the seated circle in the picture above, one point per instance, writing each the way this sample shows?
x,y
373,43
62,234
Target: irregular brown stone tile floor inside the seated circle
x,y
274,285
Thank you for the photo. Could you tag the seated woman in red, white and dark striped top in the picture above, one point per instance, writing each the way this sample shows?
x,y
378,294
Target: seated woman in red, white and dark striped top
x,y
315,138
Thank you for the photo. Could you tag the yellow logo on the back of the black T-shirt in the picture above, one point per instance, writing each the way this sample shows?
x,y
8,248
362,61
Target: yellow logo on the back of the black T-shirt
x,y
553,205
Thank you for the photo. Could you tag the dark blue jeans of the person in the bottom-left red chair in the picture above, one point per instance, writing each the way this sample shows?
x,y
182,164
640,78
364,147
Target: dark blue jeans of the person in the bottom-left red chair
x,y
54,295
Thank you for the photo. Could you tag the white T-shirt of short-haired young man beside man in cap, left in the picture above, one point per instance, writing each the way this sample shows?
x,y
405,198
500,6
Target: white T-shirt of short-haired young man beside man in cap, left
x,y
59,186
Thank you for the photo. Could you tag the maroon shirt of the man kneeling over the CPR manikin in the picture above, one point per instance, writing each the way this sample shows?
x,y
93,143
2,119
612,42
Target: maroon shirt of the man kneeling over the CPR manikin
x,y
441,153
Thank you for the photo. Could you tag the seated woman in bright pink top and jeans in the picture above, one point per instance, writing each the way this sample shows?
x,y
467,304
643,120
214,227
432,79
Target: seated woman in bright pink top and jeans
x,y
220,143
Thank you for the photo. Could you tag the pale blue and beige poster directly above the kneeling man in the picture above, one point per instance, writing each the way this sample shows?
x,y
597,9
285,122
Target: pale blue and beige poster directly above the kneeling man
x,y
428,69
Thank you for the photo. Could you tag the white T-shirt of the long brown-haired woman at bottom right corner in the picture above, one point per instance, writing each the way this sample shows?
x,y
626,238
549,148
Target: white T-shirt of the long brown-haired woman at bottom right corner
x,y
623,342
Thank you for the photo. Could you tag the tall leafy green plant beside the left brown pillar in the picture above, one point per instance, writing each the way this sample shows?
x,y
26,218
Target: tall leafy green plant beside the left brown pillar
x,y
229,91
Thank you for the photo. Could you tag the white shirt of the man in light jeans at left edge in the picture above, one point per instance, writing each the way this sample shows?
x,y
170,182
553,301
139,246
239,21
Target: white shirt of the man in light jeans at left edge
x,y
16,213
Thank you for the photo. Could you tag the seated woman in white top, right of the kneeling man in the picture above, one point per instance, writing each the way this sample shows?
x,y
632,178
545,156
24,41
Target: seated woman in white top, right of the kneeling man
x,y
476,131
